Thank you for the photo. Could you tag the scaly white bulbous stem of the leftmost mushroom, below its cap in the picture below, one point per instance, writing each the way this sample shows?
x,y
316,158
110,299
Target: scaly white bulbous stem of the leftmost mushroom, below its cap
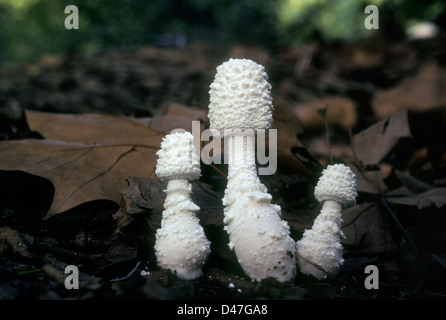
x,y
181,244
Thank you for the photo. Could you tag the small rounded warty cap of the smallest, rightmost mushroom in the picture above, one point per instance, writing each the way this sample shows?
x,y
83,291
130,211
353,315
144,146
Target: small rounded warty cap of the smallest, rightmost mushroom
x,y
337,183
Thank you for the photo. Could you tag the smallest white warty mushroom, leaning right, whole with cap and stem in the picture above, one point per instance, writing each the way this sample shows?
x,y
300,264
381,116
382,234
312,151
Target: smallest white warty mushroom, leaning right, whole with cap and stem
x,y
319,252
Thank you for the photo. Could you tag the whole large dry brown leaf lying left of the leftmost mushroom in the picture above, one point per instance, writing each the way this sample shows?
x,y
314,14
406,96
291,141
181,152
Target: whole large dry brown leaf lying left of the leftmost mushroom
x,y
91,160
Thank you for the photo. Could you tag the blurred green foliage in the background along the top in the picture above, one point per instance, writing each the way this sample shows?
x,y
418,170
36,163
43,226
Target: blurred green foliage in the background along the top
x,y
30,28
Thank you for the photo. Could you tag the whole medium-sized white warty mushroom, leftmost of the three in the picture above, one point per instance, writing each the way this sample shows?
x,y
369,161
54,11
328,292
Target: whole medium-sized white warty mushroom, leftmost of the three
x,y
181,244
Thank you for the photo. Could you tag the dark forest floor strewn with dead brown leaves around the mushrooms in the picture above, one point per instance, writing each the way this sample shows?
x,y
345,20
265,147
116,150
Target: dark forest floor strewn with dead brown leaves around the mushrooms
x,y
77,152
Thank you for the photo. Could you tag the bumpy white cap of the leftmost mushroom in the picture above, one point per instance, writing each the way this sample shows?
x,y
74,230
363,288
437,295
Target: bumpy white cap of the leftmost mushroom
x,y
178,158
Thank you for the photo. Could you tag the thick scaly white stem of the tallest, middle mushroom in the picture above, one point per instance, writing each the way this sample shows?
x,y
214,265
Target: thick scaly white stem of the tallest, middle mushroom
x,y
256,231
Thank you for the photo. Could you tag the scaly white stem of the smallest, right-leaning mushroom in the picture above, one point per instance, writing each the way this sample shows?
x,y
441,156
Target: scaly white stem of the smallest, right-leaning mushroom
x,y
320,250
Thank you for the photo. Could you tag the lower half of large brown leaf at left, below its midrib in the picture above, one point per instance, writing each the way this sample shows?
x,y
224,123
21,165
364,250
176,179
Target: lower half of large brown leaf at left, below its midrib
x,y
79,172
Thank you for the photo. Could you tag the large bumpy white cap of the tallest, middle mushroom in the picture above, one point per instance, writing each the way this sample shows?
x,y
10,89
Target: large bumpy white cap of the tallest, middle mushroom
x,y
240,97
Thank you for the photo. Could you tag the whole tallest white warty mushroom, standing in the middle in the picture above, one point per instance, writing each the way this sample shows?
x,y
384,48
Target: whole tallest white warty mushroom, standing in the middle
x,y
240,100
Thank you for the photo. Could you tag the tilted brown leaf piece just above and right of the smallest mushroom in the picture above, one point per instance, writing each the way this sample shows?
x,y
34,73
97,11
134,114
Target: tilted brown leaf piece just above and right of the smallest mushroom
x,y
374,143
